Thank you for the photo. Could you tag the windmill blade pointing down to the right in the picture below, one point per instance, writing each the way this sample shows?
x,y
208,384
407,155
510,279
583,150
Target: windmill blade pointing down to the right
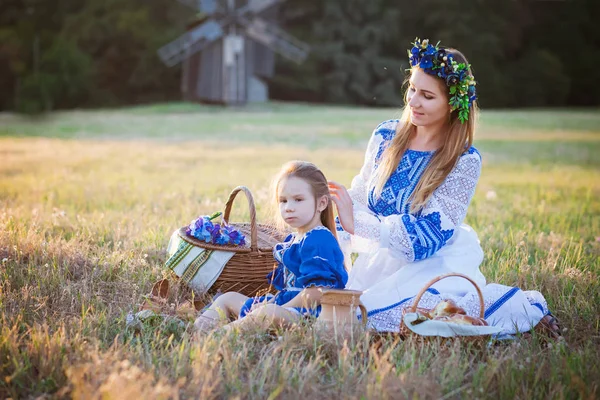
x,y
276,39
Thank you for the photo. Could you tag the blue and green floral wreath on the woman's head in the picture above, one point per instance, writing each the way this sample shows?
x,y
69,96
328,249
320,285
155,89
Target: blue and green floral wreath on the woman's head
x,y
438,62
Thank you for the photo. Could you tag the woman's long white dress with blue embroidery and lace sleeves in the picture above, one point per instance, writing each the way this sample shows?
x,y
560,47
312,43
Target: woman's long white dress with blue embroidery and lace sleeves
x,y
398,252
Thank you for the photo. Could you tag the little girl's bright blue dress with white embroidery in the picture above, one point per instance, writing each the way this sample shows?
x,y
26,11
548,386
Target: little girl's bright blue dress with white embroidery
x,y
312,260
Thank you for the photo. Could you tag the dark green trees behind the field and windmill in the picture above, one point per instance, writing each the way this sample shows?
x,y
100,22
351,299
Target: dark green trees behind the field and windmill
x,y
89,53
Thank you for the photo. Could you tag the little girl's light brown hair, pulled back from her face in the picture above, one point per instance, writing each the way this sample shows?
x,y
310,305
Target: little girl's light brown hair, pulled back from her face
x,y
315,178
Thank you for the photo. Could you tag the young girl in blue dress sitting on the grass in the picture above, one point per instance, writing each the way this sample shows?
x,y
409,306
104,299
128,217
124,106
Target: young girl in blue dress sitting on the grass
x,y
308,259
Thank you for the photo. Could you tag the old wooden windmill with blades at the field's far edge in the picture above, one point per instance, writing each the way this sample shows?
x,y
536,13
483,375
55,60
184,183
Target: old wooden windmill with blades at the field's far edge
x,y
227,55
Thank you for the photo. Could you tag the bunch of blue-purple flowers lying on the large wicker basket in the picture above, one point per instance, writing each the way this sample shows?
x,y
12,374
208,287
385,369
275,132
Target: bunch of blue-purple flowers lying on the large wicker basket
x,y
202,228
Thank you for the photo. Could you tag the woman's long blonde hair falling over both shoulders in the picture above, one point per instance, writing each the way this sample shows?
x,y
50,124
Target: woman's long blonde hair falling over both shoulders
x,y
458,139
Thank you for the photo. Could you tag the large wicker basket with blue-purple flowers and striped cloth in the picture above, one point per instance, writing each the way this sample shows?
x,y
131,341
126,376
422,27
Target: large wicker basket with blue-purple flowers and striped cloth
x,y
211,257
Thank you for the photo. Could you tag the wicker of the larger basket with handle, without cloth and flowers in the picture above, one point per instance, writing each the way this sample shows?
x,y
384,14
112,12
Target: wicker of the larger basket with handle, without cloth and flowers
x,y
247,270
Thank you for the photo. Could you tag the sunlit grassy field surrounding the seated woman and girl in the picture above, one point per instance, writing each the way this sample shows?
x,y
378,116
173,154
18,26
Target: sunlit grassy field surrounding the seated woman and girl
x,y
88,200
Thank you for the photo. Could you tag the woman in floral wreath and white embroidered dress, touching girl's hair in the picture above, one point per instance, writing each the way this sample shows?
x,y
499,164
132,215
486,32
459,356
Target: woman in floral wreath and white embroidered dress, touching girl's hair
x,y
404,212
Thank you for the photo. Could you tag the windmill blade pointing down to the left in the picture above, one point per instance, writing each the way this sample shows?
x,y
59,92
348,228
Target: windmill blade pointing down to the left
x,y
189,43
